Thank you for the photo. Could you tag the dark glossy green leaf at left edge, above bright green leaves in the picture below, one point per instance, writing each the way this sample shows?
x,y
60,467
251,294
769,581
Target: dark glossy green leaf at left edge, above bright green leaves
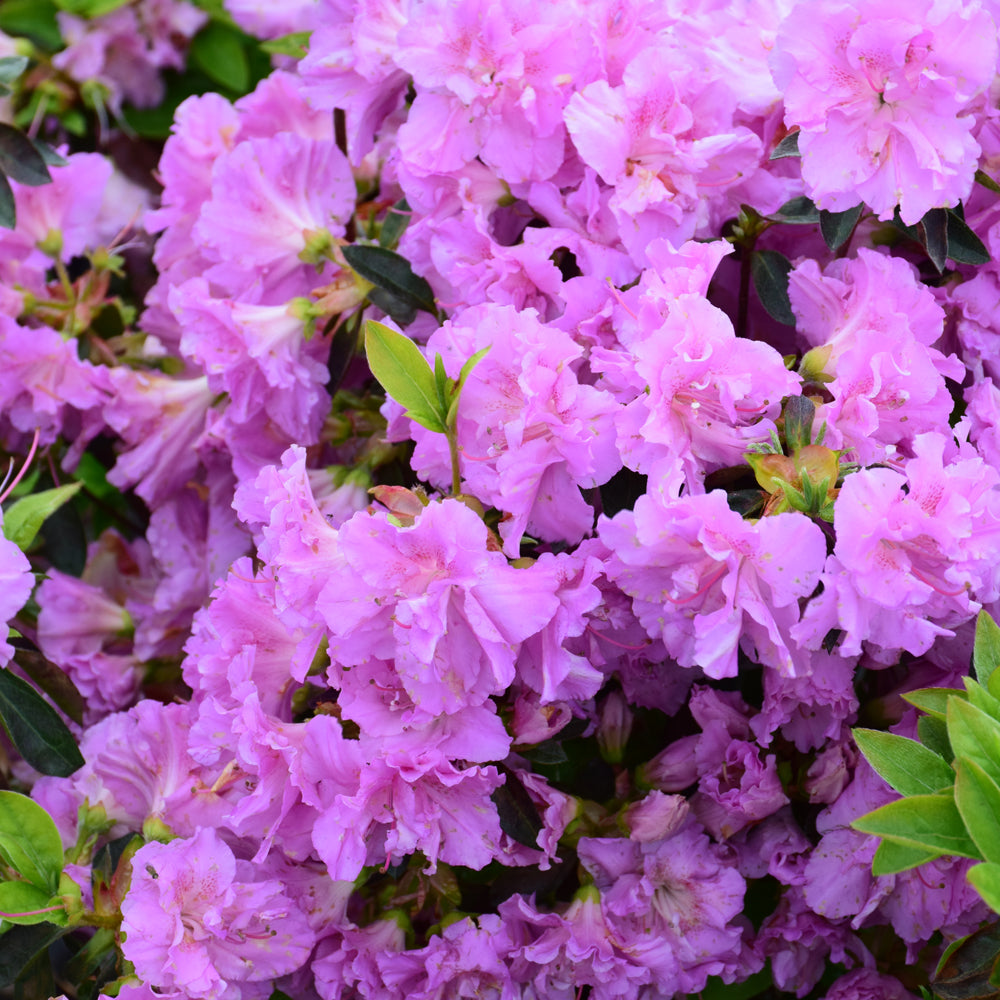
x,y
35,728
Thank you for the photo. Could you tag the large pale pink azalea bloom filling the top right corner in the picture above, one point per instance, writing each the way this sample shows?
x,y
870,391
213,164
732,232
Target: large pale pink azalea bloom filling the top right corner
x,y
883,95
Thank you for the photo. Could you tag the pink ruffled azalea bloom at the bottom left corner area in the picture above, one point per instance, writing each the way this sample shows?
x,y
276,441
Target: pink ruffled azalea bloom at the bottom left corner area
x,y
197,920
